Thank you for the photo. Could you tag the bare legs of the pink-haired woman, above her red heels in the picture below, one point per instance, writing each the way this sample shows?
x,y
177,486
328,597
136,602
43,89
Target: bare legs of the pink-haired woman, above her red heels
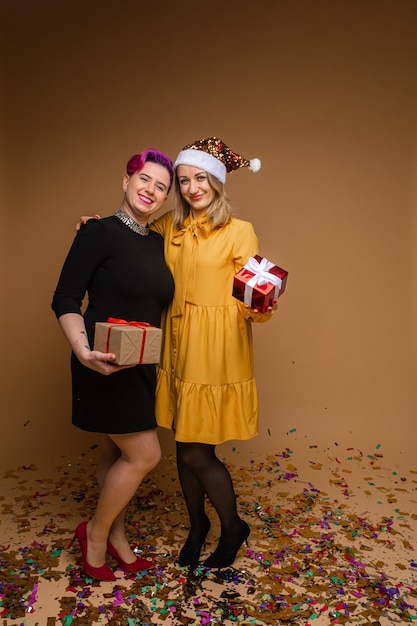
x,y
139,453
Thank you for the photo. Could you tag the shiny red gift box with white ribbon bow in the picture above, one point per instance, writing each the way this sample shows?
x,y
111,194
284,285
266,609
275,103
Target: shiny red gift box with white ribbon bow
x,y
259,282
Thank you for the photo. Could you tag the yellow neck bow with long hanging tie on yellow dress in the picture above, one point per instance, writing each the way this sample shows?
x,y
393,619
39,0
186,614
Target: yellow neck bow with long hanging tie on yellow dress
x,y
187,239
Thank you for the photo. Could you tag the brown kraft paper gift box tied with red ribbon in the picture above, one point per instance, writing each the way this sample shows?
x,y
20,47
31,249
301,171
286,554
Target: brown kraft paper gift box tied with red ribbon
x,y
131,342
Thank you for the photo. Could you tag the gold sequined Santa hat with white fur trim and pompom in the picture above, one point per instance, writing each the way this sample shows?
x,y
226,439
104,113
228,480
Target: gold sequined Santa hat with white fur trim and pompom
x,y
214,157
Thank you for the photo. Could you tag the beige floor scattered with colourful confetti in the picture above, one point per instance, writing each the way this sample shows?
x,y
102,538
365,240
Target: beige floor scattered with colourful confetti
x,y
332,542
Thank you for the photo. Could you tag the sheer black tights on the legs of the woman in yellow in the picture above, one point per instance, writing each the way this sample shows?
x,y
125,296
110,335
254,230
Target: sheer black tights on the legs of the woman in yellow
x,y
202,473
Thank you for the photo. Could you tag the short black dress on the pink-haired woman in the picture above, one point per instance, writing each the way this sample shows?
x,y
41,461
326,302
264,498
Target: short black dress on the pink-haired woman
x,y
125,276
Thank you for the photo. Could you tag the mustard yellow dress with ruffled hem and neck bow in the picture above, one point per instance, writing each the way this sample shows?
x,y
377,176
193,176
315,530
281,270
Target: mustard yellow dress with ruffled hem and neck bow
x,y
206,389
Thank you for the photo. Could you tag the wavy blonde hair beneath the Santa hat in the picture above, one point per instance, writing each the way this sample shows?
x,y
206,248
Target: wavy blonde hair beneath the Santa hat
x,y
219,212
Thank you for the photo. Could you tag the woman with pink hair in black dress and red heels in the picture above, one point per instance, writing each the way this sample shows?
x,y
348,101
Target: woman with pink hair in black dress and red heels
x,y
120,263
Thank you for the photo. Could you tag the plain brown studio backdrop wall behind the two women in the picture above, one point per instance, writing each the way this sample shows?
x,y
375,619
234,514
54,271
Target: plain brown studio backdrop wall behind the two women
x,y
324,93
